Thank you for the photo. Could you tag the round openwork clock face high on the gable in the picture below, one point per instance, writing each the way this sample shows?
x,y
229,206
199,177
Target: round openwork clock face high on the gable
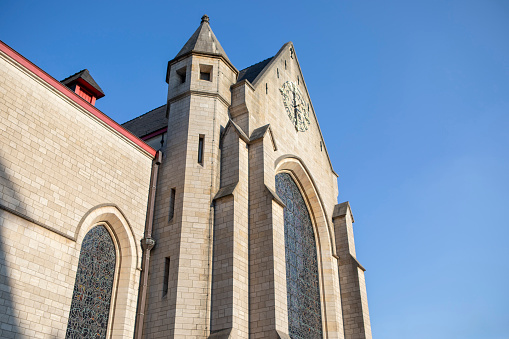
x,y
296,107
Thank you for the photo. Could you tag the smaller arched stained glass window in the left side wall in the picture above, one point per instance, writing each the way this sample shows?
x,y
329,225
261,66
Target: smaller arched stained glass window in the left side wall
x,y
93,287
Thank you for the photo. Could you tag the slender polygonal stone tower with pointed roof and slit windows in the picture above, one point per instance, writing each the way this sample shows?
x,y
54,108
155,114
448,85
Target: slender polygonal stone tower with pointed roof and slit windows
x,y
199,80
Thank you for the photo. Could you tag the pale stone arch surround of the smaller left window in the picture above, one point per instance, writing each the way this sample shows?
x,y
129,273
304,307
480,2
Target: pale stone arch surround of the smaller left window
x,y
123,304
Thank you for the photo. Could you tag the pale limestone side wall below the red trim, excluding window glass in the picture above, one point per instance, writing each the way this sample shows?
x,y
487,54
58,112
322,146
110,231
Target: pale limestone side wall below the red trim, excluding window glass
x,y
62,171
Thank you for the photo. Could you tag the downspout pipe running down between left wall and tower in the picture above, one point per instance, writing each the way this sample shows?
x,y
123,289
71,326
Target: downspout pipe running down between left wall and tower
x,y
147,243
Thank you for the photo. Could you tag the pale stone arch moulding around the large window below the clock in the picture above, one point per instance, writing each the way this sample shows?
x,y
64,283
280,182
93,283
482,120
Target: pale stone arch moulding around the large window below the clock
x,y
327,257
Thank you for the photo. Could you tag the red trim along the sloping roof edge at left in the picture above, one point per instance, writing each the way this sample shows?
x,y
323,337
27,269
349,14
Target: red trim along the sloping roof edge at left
x,y
73,96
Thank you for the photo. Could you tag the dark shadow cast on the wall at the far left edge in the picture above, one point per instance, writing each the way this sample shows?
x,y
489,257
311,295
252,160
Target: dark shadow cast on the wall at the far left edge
x,y
9,322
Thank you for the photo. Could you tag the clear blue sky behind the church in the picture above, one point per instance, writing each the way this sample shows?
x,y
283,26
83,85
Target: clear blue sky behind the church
x,y
413,101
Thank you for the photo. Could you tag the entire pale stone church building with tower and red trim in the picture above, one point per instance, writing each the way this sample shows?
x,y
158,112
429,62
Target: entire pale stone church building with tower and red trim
x,y
214,215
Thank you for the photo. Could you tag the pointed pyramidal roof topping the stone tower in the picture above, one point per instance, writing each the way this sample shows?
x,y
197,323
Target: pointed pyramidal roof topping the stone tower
x,y
203,41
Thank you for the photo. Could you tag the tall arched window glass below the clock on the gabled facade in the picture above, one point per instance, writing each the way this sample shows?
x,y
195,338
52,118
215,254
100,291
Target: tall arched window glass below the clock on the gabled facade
x,y
303,291
